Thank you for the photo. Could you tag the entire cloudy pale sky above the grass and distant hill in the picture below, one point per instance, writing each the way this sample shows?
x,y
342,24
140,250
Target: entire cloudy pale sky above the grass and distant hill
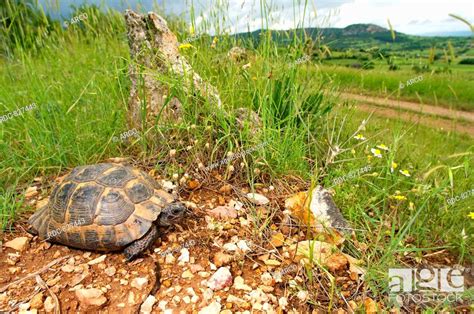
x,y
406,16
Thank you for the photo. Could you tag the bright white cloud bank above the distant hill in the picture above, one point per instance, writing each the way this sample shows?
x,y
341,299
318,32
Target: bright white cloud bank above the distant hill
x,y
409,16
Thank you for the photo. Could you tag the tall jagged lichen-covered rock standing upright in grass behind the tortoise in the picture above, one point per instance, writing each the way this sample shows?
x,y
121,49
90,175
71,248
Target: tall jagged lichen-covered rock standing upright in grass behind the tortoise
x,y
148,37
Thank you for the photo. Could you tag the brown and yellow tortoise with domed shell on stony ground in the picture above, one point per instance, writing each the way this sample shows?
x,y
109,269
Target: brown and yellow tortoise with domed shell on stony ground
x,y
106,207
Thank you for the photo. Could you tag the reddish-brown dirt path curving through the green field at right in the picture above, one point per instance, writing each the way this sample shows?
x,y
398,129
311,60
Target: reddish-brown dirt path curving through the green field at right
x,y
435,117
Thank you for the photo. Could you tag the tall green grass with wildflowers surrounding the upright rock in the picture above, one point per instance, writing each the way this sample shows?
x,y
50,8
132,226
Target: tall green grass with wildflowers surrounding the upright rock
x,y
79,82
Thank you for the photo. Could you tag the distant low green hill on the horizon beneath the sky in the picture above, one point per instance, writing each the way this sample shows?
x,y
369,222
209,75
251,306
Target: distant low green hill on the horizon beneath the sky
x,y
361,36
